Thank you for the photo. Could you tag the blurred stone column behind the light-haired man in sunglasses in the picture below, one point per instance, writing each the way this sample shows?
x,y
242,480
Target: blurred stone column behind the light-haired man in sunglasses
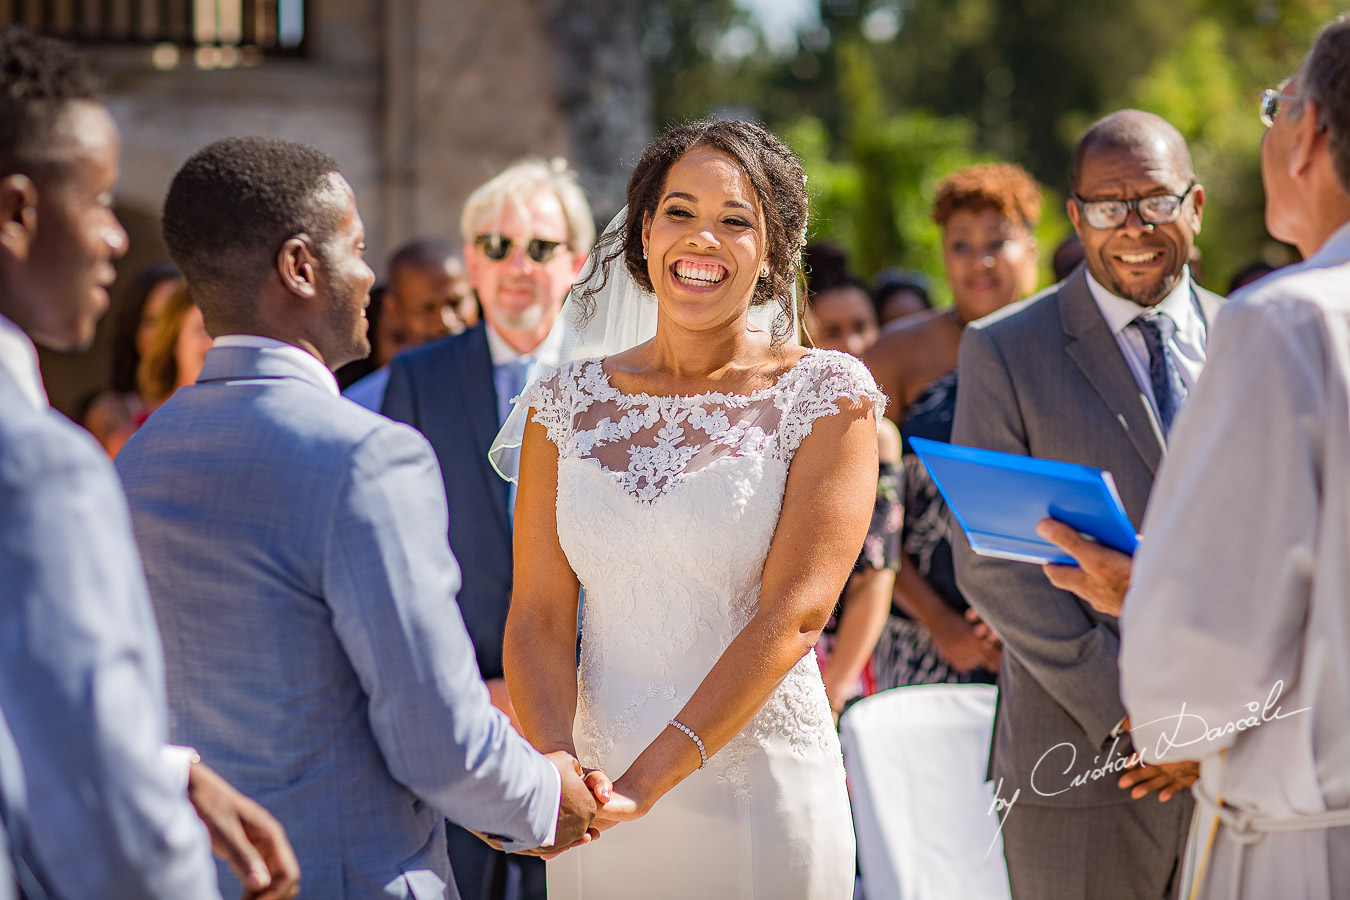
x,y
473,86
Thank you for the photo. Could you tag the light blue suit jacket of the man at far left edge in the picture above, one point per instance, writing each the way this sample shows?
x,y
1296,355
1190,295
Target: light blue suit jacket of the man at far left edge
x,y
82,677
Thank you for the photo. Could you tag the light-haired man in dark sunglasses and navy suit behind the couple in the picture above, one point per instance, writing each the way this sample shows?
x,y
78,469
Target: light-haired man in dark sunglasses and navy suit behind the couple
x,y
527,234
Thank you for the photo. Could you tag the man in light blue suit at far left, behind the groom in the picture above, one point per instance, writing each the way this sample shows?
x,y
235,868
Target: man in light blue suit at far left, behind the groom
x,y
91,808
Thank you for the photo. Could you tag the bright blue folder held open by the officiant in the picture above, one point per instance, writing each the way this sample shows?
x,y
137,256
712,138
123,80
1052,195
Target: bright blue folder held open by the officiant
x,y
998,500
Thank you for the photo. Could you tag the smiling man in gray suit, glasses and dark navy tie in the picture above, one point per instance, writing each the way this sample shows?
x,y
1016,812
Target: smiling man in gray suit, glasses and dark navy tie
x,y
1090,372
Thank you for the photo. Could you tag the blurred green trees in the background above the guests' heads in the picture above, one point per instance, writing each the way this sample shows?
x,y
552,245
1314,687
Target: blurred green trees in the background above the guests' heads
x,y
882,98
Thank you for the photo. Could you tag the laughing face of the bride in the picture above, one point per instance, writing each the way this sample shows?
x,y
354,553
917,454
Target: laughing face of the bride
x,y
705,242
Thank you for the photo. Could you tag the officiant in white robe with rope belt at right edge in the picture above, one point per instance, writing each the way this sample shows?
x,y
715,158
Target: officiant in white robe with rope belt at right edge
x,y
1236,631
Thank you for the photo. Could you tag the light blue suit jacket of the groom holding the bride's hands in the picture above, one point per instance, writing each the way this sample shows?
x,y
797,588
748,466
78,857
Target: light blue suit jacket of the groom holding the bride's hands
x,y
295,546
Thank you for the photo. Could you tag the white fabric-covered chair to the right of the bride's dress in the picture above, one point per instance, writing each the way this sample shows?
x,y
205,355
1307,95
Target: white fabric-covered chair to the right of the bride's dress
x,y
916,760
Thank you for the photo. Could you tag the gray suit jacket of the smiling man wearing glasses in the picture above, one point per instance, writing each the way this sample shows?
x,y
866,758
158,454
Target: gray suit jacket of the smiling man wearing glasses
x,y
1047,378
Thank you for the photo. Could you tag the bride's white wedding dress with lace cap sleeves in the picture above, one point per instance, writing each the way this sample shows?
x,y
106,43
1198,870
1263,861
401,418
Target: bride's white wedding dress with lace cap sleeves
x,y
666,511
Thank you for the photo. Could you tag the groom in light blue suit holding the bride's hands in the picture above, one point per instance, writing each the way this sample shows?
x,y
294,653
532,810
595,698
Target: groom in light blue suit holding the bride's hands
x,y
296,555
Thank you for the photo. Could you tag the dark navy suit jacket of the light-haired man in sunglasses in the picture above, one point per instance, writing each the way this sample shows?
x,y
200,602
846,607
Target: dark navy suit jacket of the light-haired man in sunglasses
x,y
446,391
